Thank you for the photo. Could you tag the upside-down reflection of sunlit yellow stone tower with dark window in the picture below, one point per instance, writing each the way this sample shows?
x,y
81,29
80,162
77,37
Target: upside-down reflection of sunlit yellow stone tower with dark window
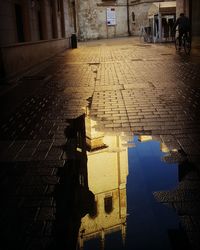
x,y
107,177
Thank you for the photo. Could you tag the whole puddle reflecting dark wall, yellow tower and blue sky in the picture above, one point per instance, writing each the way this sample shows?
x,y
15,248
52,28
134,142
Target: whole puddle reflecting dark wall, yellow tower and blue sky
x,y
107,196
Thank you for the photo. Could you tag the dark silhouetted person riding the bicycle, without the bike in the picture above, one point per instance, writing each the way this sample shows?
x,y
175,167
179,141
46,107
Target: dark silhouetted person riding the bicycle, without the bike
x,y
183,24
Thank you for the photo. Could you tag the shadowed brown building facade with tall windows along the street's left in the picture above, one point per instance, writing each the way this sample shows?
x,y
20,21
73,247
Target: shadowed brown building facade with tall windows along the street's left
x,y
32,31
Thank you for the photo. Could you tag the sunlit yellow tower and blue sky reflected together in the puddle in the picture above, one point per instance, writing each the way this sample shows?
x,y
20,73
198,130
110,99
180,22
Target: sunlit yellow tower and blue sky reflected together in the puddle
x,y
123,180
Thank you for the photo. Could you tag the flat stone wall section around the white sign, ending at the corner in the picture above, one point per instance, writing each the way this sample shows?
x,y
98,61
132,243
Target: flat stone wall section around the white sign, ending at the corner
x,y
92,19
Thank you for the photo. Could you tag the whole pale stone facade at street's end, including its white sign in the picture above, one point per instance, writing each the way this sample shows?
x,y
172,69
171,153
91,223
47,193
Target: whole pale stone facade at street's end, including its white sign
x,y
127,17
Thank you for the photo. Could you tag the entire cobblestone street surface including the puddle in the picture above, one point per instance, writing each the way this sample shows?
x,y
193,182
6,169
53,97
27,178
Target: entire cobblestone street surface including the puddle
x,y
99,185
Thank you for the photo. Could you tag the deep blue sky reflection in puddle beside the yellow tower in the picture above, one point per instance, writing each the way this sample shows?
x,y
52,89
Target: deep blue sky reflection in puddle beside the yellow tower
x,y
149,221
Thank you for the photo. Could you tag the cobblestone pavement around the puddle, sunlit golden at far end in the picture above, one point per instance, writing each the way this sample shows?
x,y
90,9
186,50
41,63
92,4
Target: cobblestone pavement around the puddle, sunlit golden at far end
x,y
130,87
